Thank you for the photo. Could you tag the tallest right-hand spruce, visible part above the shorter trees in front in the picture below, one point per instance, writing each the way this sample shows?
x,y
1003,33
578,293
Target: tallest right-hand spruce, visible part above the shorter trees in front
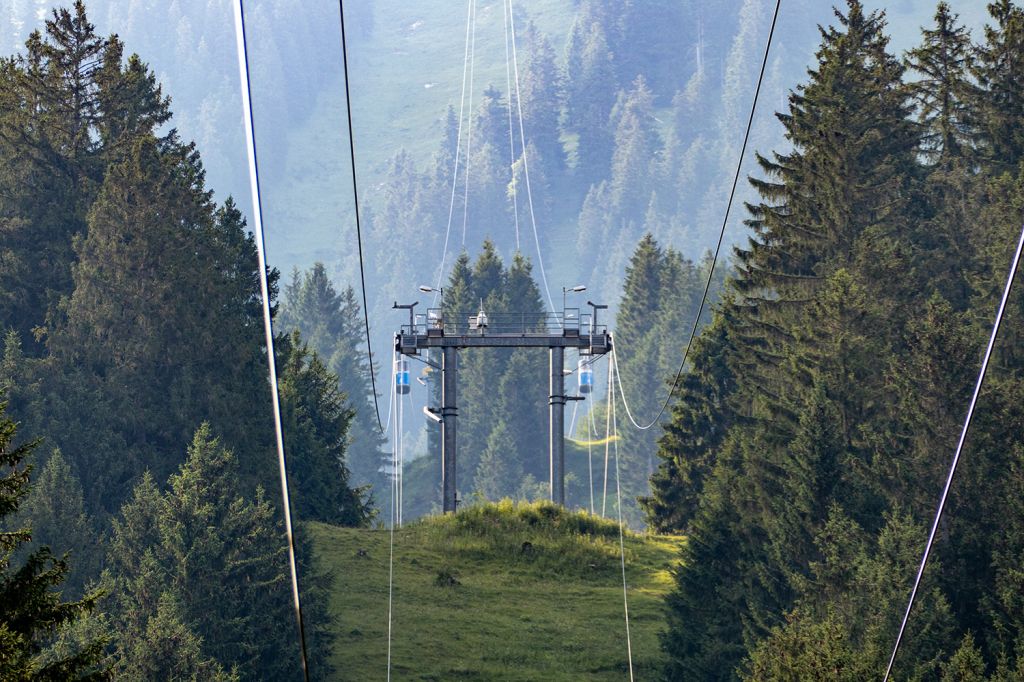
x,y
841,187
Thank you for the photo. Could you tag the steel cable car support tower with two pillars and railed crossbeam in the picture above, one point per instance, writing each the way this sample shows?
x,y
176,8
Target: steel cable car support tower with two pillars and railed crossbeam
x,y
452,332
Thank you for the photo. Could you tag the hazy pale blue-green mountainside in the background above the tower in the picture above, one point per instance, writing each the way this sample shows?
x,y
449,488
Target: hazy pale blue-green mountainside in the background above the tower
x,y
407,66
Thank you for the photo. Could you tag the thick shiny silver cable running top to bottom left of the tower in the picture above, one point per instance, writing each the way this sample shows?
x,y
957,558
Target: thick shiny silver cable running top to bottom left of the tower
x,y
247,109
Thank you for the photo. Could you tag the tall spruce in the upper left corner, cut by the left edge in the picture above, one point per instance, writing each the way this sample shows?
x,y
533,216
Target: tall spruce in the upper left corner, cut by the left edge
x,y
48,129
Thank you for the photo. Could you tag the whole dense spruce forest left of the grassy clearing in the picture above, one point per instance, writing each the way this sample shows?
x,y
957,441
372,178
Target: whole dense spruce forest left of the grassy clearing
x,y
135,366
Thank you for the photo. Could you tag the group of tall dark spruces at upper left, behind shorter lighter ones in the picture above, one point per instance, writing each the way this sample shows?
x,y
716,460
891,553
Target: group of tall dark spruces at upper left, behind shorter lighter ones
x,y
104,277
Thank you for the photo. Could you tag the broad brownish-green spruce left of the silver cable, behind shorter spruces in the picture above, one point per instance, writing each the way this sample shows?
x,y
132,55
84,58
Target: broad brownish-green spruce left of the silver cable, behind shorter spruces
x,y
135,336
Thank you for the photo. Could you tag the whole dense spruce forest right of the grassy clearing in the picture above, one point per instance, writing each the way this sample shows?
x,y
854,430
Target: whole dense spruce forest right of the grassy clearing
x,y
810,442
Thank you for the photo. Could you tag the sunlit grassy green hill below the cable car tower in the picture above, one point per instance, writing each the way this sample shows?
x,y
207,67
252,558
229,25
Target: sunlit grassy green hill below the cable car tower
x,y
551,610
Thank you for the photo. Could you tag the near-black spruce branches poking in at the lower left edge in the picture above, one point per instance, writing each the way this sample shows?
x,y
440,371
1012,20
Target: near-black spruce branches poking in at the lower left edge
x,y
32,611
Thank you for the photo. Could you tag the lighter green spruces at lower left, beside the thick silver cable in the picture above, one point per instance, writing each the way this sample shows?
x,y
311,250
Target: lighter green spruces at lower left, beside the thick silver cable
x,y
204,528
